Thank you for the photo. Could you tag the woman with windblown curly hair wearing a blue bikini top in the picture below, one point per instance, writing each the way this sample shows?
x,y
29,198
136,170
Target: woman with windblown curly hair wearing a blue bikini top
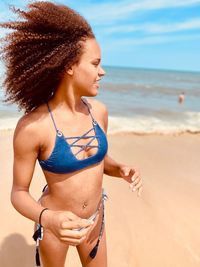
x,y
53,63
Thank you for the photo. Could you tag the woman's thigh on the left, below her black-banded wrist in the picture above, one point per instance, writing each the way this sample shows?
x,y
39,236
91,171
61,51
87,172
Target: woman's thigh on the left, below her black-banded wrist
x,y
52,251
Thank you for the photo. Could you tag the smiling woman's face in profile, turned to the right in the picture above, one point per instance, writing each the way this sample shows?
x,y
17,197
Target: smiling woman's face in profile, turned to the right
x,y
88,71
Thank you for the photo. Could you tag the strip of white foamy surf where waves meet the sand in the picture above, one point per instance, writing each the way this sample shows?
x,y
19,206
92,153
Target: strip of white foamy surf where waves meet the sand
x,y
140,125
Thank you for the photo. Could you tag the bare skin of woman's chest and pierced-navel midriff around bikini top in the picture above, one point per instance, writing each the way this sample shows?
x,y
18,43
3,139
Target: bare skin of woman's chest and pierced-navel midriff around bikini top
x,y
78,191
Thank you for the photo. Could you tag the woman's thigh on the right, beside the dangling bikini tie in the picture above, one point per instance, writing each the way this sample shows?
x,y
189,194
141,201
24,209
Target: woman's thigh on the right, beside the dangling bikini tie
x,y
84,249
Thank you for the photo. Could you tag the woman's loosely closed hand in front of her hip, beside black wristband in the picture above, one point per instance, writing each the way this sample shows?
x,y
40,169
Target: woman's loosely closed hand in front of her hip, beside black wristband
x,y
64,225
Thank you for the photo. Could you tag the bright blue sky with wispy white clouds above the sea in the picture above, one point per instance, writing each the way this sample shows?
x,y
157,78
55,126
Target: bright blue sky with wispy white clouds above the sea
x,y
162,34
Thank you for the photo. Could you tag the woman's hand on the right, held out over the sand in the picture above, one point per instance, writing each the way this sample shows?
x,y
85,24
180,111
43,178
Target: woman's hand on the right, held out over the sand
x,y
133,177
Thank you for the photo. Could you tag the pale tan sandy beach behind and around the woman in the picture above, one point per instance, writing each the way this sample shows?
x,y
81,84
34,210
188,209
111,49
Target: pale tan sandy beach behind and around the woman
x,y
159,229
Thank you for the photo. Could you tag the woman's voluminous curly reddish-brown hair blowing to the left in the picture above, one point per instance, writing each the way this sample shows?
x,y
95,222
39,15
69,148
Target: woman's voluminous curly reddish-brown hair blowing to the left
x,y
43,44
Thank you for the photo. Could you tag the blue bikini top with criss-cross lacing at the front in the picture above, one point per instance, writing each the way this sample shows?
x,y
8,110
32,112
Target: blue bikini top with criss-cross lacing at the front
x,y
63,160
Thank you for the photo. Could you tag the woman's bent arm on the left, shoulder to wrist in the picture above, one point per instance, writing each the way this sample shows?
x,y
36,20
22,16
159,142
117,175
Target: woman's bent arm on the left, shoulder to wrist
x,y
26,147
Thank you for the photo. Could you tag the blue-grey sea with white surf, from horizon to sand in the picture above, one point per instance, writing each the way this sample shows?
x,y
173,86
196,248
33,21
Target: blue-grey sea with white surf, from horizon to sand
x,y
140,101
